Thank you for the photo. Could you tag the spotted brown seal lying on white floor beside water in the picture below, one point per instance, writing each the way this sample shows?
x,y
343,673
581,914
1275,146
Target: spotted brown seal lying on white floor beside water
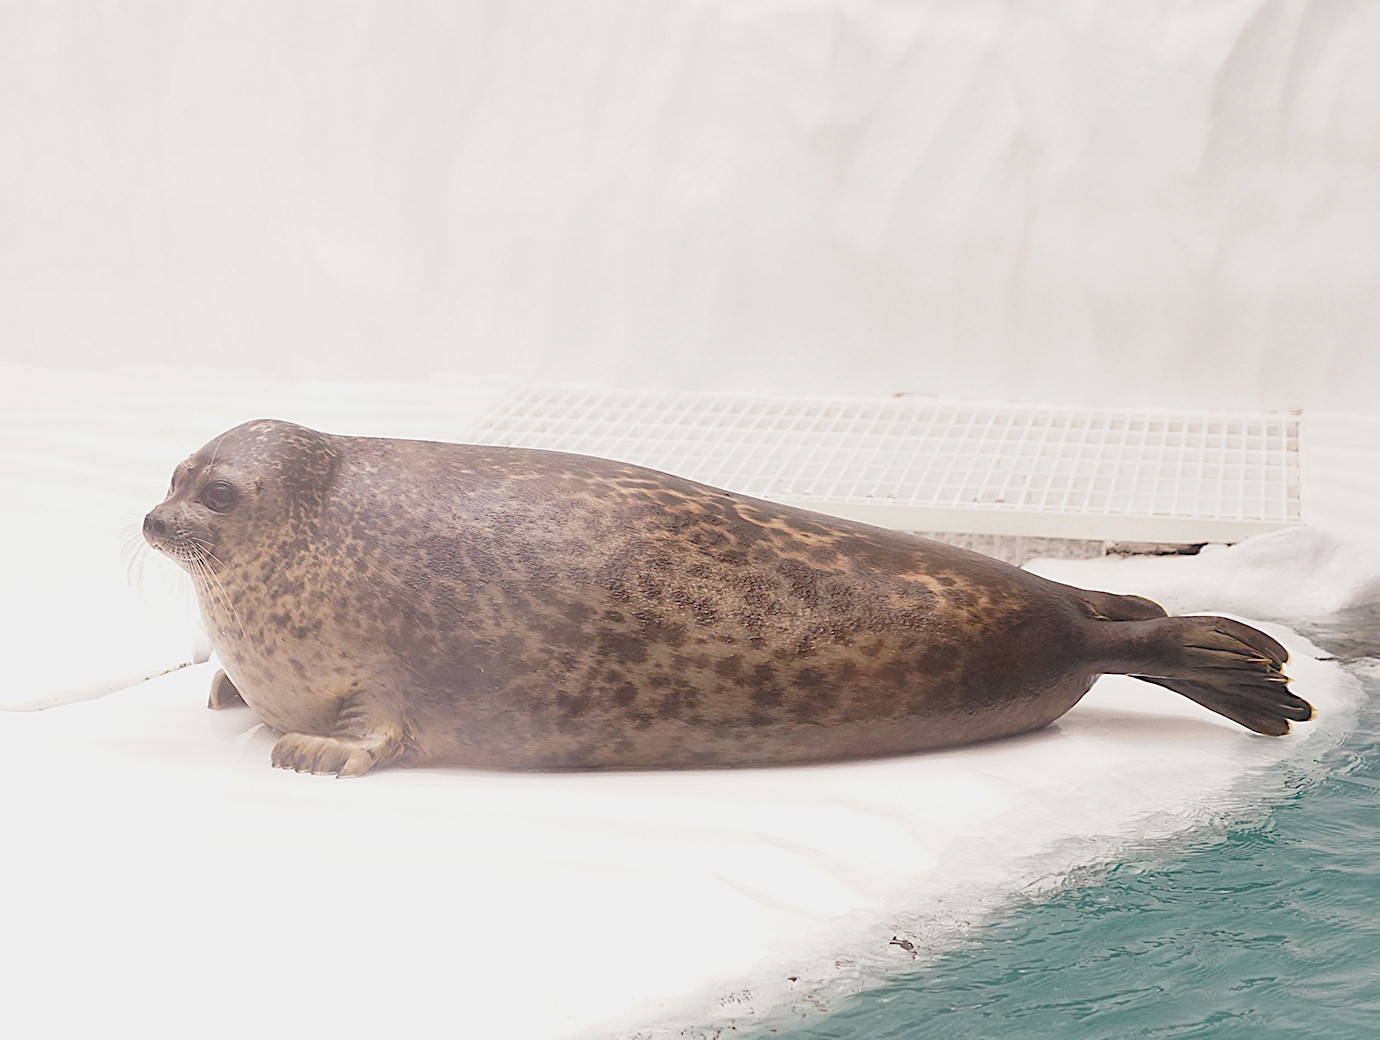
x,y
424,603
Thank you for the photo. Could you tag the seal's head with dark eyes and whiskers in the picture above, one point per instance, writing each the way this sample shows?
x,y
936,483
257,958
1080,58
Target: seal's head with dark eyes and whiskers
x,y
250,490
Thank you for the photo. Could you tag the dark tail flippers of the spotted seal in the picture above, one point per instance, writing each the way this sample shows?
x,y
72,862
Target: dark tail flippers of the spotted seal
x,y
1222,664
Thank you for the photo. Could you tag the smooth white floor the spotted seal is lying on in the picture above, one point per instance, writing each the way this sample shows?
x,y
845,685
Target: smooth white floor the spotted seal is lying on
x,y
159,874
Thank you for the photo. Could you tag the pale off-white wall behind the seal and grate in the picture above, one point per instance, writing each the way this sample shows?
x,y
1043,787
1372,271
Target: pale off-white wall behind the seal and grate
x,y
1073,202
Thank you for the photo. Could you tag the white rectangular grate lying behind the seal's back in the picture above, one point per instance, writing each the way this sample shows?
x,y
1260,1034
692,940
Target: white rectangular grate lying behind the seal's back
x,y
918,464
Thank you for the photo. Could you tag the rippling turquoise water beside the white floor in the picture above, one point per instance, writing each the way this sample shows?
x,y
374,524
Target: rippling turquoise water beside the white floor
x,y
1269,930
